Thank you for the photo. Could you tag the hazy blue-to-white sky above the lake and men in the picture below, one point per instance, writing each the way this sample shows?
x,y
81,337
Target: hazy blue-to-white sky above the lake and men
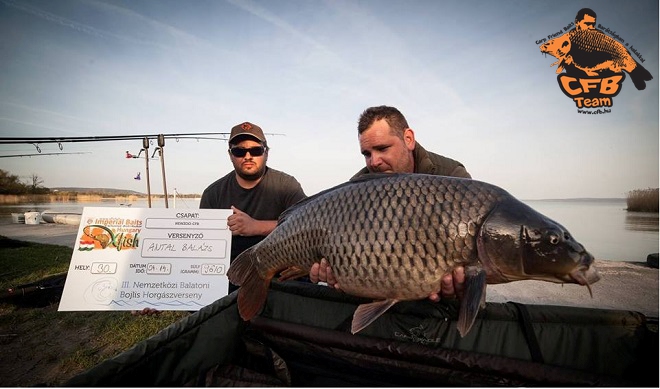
x,y
468,76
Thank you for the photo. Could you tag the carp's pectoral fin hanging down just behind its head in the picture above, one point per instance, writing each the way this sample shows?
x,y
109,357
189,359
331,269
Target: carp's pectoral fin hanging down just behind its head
x,y
474,298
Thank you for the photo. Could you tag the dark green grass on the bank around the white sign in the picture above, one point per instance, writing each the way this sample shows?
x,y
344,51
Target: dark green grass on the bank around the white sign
x,y
64,343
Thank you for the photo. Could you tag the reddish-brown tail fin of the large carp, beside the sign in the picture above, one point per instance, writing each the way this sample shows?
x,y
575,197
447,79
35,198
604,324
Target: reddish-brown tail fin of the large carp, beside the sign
x,y
253,288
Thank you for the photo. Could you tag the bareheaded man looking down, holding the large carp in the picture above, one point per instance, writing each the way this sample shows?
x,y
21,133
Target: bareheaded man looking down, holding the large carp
x,y
388,146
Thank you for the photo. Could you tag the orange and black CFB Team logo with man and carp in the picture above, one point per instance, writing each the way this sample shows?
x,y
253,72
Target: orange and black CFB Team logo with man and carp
x,y
592,65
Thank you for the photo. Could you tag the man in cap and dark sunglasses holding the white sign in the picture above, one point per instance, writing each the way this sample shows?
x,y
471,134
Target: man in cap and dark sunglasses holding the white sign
x,y
256,193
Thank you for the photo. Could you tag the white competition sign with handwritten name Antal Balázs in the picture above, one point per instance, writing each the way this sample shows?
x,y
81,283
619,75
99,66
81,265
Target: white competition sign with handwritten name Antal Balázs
x,y
135,258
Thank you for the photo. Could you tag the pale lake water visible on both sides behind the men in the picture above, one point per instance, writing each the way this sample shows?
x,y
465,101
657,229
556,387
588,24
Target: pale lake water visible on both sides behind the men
x,y
604,227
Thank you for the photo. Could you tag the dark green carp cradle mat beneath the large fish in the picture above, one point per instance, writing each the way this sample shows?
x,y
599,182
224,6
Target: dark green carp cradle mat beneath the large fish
x,y
302,338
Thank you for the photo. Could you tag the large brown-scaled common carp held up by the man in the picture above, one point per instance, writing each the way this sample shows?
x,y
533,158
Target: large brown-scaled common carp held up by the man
x,y
392,237
